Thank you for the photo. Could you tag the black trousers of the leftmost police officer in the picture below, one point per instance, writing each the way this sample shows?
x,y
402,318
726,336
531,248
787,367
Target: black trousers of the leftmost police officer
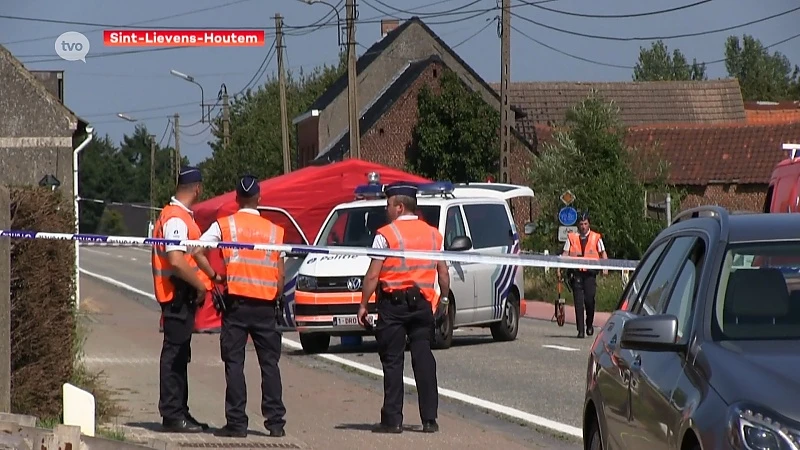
x,y
176,351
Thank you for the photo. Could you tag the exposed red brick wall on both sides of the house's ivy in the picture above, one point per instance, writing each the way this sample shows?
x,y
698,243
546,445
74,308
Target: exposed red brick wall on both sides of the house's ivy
x,y
390,139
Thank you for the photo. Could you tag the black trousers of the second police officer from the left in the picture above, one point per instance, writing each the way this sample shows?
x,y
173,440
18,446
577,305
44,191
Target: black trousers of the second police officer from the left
x,y
256,318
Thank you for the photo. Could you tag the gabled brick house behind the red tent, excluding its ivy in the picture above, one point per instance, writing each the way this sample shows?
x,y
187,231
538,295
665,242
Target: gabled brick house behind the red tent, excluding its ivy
x,y
390,75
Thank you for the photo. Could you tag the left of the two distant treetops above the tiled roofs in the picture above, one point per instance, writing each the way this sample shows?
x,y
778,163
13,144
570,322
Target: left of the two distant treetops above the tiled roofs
x,y
656,64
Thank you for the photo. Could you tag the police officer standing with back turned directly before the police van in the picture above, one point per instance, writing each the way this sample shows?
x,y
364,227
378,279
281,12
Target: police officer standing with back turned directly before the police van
x,y
406,300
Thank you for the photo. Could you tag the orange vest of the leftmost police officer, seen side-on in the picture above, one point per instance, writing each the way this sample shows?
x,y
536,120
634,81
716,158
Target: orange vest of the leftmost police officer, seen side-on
x,y
162,269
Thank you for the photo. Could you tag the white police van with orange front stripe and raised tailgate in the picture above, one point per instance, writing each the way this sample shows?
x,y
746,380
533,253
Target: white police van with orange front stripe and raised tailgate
x,y
327,292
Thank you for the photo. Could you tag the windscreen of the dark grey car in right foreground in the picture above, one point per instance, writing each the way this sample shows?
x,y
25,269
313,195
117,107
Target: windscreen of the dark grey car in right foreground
x,y
760,300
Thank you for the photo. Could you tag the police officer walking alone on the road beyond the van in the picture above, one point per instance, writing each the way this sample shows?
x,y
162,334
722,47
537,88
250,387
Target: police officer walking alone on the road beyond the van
x,y
585,244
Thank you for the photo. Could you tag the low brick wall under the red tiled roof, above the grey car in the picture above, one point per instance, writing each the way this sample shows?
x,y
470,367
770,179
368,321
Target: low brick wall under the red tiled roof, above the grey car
x,y
746,197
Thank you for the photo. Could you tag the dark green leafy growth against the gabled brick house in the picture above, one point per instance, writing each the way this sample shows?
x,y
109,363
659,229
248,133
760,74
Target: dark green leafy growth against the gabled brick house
x,y
456,137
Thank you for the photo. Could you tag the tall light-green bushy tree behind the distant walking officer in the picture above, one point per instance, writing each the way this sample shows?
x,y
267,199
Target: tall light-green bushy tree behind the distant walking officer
x,y
591,159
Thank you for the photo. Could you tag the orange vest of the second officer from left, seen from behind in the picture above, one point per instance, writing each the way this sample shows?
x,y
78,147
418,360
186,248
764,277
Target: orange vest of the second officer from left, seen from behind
x,y
251,273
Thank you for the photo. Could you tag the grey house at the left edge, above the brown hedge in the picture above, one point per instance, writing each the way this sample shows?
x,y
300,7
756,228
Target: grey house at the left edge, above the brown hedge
x,y
37,132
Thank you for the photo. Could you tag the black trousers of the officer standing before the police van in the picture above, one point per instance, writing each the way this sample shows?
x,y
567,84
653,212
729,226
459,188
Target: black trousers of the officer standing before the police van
x,y
395,322
